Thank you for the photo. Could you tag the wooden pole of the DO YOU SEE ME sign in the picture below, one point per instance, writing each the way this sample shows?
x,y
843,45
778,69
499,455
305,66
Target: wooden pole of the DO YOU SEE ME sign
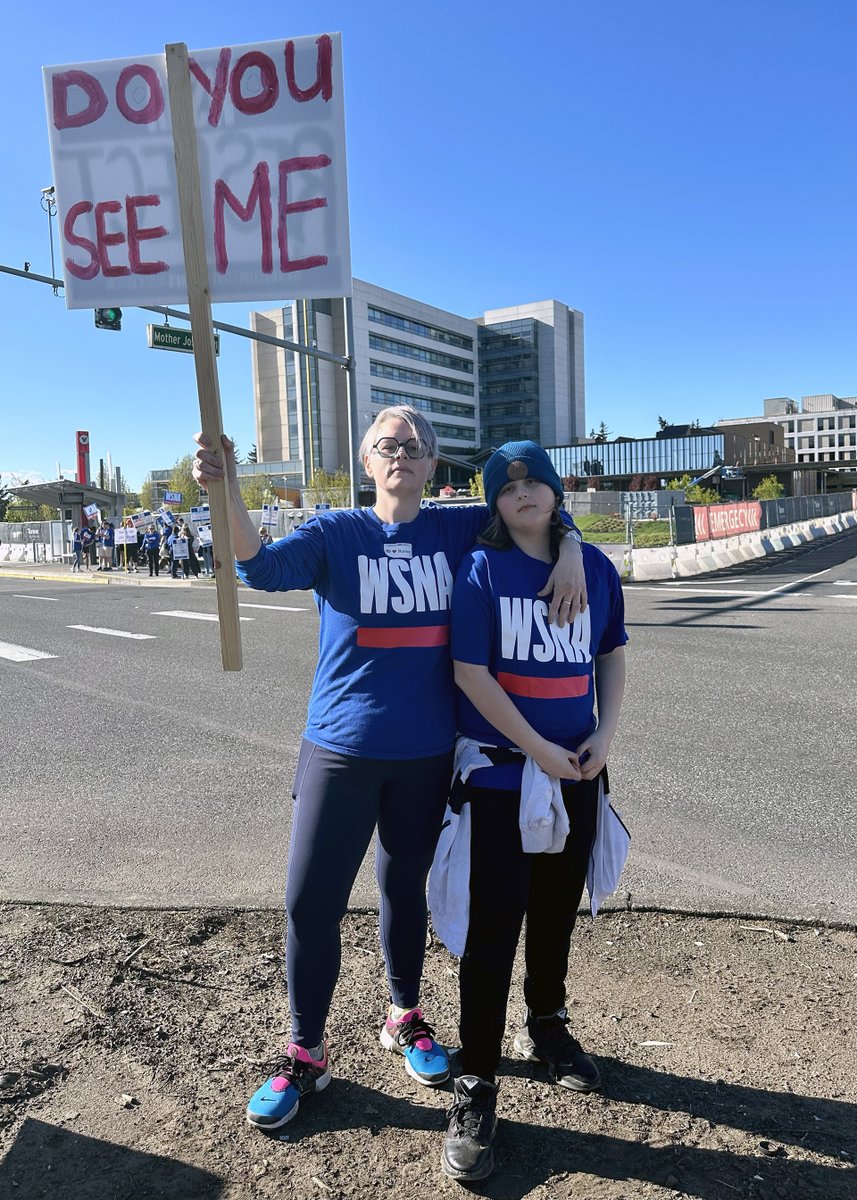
x,y
200,304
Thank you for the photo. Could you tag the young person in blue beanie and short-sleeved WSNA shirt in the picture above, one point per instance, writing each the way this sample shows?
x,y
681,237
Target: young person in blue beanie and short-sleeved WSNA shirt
x,y
534,749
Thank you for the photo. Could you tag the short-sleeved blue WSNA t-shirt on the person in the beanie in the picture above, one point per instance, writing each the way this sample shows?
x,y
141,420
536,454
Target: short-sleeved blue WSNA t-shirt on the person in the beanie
x,y
500,622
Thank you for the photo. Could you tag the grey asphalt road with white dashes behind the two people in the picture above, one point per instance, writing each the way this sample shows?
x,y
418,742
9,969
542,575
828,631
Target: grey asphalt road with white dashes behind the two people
x,y
136,772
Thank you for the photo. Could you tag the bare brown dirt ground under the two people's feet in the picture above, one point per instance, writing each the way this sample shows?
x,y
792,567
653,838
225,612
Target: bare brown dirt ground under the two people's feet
x,y
131,1040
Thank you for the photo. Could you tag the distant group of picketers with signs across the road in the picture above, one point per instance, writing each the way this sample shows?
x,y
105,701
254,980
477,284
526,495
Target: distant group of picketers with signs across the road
x,y
175,550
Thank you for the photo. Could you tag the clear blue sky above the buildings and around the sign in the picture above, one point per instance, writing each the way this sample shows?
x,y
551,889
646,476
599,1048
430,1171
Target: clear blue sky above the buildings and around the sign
x,y
682,172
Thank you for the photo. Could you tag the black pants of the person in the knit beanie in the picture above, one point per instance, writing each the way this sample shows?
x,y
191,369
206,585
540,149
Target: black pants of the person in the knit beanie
x,y
506,886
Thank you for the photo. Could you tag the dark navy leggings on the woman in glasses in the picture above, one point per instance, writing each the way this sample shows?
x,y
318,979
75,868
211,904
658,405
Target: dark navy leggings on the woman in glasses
x,y
340,801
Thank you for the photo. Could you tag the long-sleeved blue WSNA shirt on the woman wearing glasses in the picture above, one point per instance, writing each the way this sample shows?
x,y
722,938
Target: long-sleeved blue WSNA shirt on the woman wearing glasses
x,y
383,686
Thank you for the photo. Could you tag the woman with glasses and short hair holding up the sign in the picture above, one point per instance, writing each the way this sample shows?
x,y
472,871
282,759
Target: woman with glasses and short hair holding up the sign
x,y
379,742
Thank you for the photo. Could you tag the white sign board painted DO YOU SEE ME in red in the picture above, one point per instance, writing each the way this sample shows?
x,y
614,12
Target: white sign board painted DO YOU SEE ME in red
x,y
271,131
